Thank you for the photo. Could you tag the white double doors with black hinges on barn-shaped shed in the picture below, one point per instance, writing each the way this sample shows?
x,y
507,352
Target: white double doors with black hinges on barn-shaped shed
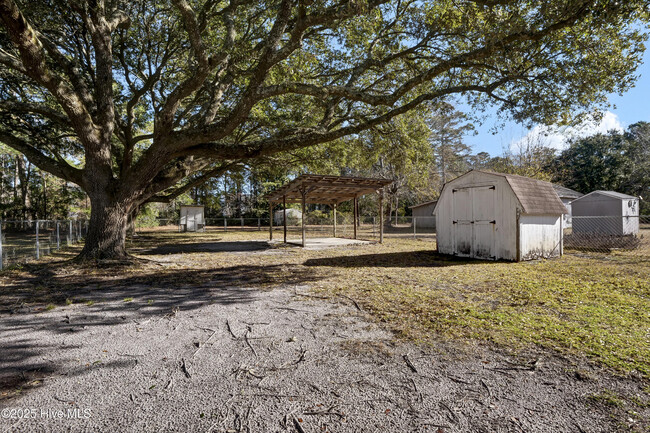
x,y
474,221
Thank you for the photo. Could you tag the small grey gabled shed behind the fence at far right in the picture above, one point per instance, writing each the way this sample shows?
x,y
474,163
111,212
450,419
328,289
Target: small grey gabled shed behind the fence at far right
x,y
606,213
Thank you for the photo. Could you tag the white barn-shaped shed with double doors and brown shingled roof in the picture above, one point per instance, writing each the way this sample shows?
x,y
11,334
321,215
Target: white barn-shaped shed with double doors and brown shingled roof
x,y
494,216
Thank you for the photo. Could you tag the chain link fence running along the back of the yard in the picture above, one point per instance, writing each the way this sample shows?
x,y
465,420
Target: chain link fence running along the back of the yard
x,y
24,241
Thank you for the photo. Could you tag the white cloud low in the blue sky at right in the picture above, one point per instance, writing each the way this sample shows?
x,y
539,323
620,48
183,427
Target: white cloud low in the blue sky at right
x,y
557,137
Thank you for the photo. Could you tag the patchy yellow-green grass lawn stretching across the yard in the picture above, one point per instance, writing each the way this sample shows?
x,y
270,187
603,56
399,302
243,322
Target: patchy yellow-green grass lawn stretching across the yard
x,y
593,305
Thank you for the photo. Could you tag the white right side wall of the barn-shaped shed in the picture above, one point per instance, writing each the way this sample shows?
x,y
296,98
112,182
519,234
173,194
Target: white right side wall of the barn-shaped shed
x,y
538,236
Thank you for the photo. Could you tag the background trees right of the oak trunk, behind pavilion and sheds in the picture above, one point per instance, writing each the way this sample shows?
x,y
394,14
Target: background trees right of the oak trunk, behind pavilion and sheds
x,y
422,150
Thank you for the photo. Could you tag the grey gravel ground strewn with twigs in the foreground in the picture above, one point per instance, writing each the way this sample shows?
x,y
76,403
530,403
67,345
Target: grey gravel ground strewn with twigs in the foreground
x,y
222,356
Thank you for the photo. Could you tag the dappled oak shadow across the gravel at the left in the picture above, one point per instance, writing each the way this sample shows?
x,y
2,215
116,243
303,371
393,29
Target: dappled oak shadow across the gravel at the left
x,y
29,305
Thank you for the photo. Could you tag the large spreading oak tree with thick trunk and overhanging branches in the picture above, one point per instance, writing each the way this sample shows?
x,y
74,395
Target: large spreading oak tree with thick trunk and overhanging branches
x,y
139,100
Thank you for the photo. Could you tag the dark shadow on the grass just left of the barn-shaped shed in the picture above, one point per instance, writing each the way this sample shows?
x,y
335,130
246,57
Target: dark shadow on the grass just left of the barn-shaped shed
x,y
407,259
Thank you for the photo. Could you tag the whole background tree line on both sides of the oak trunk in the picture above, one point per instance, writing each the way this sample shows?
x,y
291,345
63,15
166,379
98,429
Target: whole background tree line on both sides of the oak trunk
x,y
419,152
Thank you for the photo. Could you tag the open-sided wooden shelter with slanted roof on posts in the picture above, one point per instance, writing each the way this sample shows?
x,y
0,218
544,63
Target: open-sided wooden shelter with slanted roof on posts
x,y
330,190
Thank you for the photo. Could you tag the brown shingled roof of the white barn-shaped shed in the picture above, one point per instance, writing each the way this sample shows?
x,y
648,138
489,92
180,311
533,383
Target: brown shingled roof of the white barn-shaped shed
x,y
535,196
